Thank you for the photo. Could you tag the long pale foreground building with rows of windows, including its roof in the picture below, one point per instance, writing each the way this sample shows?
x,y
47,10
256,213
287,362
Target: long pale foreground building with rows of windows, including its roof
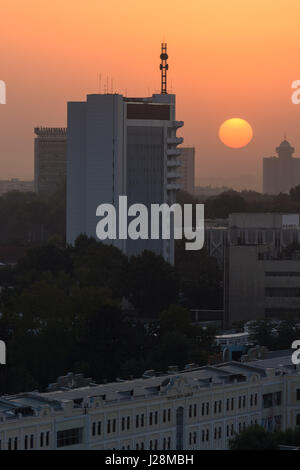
x,y
200,408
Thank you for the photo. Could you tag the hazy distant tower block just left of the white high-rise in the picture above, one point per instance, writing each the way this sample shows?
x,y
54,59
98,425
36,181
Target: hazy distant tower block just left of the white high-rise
x,y
50,156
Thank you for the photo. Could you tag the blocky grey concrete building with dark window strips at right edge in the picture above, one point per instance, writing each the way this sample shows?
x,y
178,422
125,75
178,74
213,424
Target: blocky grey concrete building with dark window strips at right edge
x,y
262,279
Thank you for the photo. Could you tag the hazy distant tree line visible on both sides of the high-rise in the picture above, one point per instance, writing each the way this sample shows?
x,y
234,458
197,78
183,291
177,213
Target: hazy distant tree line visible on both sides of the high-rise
x,y
30,219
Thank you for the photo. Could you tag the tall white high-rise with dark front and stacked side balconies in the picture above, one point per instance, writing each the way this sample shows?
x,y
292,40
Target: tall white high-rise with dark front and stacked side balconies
x,y
121,146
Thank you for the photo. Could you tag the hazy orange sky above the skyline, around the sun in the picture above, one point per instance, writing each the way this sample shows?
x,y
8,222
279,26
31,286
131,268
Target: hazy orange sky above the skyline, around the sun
x,y
227,59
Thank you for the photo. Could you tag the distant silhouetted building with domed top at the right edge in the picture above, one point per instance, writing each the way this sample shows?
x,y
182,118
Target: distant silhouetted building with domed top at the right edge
x,y
281,173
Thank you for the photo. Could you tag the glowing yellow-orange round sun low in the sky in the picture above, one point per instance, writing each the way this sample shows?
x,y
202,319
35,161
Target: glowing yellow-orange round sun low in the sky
x,y
235,133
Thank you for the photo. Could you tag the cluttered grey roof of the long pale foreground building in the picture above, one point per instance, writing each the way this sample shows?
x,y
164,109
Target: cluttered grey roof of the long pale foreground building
x,y
197,378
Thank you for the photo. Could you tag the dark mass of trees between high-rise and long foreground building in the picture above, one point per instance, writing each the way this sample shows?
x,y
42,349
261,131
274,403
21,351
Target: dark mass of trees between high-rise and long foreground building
x,y
61,310
